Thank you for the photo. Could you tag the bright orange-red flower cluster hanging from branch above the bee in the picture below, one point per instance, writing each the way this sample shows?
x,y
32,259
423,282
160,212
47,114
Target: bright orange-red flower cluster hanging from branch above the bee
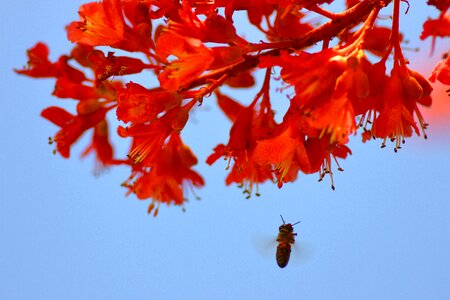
x,y
359,81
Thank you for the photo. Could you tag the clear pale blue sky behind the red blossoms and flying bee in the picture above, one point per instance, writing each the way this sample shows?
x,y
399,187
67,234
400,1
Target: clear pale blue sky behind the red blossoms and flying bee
x,y
66,234
